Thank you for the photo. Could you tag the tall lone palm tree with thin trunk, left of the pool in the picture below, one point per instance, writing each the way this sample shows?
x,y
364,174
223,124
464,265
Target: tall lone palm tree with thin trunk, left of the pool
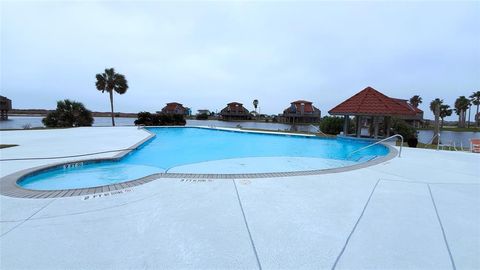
x,y
110,81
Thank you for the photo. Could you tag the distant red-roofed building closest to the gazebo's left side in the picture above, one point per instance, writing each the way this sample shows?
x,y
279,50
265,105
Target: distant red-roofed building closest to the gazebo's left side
x,y
300,111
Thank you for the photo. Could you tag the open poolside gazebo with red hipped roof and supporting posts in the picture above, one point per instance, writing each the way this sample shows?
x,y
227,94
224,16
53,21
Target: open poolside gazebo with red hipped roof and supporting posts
x,y
371,104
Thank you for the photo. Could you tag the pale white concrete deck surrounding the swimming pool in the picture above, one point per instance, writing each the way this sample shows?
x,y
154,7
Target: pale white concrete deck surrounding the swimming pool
x,y
421,211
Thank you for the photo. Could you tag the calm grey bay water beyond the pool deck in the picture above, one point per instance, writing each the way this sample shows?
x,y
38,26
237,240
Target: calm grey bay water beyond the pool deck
x,y
424,136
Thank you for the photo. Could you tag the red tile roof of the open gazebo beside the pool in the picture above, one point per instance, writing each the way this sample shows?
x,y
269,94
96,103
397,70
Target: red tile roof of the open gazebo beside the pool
x,y
371,102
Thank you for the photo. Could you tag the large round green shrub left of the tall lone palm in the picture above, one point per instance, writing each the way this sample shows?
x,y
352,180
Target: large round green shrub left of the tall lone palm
x,y
69,114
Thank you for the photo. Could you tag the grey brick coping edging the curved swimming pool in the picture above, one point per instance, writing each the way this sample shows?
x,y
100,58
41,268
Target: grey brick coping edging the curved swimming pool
x,y
10,188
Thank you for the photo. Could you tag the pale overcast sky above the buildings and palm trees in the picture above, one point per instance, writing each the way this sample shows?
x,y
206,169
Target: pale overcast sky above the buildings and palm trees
x,y
206,54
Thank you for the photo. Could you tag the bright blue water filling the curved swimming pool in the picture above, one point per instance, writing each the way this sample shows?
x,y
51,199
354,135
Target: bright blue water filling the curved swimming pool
x,y
172,148
